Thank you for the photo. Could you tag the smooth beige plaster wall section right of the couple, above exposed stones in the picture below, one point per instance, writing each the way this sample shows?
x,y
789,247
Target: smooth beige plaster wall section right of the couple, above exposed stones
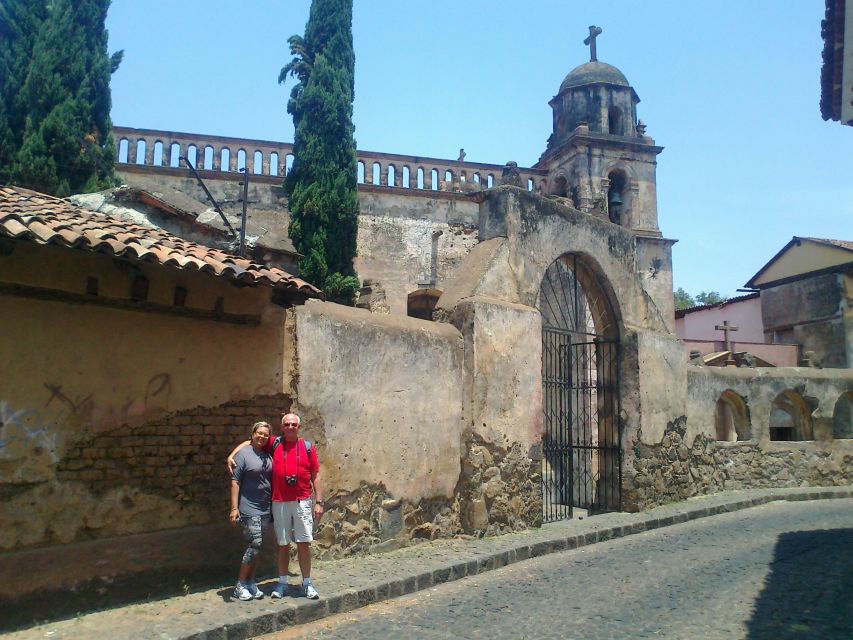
x,y
383,396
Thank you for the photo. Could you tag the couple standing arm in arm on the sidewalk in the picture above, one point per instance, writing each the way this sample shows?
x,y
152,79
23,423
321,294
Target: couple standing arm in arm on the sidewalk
x,y
272,480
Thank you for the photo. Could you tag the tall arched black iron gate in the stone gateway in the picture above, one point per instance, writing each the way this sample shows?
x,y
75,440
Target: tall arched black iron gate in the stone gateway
x,y
582,445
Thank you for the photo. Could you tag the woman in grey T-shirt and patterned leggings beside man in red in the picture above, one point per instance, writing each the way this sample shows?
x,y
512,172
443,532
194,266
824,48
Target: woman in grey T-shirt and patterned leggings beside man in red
x,y
250,505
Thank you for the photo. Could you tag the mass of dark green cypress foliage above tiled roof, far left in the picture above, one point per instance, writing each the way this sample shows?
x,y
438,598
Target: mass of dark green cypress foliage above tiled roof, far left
x,y
58,118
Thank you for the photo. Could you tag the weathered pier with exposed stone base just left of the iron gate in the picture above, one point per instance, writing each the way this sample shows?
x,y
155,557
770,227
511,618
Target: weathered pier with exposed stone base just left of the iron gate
x,y
503,407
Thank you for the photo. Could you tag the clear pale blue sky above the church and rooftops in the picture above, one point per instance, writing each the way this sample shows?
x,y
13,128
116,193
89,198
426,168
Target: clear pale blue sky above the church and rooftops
x,y
729,88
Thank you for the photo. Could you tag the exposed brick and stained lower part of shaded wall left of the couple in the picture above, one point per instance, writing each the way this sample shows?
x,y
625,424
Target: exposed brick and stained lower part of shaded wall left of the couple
x,y
157,480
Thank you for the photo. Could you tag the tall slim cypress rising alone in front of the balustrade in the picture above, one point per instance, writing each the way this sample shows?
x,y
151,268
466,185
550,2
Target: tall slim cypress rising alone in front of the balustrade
x,y
321,185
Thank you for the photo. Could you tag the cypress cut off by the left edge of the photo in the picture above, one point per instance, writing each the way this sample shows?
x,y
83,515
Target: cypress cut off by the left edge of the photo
x,y
20,21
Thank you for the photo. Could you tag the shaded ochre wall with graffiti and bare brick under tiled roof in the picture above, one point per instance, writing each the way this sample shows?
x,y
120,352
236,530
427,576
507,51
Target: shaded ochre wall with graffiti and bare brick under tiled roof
x,y
116,421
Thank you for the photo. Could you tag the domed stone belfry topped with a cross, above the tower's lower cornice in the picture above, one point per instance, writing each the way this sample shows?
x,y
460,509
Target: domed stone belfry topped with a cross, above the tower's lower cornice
x,y
599,155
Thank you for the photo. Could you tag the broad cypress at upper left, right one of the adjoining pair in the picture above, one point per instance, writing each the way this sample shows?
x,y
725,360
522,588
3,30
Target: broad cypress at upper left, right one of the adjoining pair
x,y
67,145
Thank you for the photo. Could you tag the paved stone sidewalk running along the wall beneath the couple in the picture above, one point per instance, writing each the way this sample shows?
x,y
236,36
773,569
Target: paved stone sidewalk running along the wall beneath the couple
x,y
355,582
